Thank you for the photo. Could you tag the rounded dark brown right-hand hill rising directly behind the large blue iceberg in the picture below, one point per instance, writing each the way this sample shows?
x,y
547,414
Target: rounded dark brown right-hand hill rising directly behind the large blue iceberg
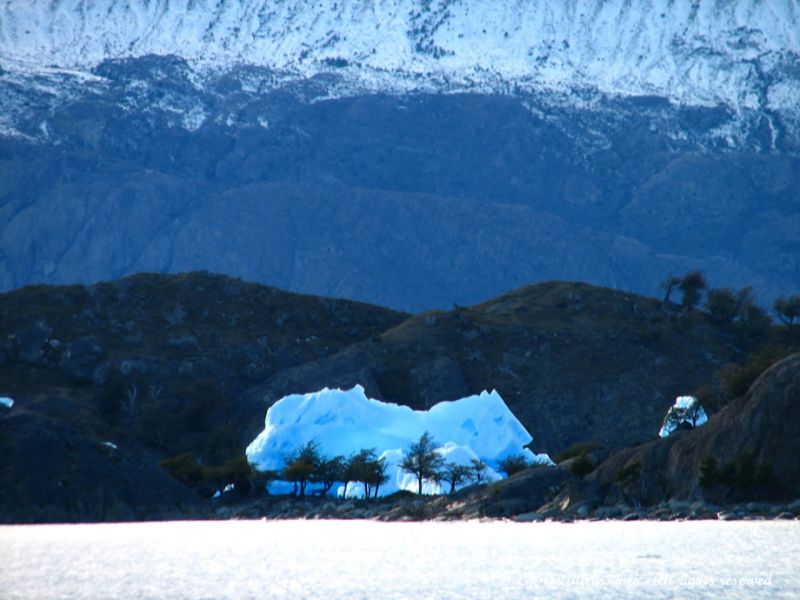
x,y
573,361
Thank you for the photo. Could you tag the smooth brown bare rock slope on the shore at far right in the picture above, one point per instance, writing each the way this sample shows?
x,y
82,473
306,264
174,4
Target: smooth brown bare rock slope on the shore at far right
x,y
763,425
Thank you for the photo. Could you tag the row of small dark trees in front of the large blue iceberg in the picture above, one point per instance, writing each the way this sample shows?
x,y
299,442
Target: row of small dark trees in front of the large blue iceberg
x,y
308,464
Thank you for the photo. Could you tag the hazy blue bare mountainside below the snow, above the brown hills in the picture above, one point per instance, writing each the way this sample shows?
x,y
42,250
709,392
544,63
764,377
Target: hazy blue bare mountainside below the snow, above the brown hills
x,y
413,202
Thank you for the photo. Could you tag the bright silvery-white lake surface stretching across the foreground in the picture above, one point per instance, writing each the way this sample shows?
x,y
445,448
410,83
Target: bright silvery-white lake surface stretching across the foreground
x,y
372,560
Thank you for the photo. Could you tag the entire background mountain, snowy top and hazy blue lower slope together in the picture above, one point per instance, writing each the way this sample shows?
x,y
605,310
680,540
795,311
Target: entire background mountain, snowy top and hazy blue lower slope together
x,y
407,153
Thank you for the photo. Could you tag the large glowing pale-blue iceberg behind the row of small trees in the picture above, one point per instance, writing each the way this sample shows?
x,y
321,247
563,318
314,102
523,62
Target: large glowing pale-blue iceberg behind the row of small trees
x,y
343,422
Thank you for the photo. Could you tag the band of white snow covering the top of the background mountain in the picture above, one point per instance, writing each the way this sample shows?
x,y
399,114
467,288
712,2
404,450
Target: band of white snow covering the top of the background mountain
x,y
699,53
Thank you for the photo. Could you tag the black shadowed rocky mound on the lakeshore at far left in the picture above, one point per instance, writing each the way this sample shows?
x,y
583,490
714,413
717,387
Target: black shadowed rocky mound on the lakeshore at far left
x,y
52,473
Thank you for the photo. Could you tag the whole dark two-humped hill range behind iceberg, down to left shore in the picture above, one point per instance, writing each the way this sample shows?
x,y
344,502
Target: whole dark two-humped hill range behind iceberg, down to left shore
x,y
110,379
